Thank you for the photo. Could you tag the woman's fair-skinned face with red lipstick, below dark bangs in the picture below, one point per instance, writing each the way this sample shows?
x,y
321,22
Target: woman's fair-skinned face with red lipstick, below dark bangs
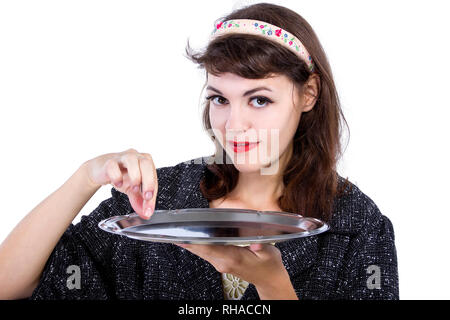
x,y
269,117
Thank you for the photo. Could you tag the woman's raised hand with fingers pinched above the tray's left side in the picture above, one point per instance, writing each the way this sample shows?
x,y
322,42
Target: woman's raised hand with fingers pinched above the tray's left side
x,y
130,172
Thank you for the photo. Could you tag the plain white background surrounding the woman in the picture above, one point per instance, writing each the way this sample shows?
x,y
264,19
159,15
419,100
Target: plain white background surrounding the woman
x,y
82,78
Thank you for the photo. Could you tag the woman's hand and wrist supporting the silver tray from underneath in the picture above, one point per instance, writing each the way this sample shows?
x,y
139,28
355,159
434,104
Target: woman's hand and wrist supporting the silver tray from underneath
x,y
259,264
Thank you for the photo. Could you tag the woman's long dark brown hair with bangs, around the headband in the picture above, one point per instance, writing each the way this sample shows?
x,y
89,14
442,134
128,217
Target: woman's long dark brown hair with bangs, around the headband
x,y
310,178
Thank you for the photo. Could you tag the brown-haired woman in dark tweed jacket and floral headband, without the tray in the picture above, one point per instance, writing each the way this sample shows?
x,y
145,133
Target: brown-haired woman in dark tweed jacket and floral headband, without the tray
x,y
292,170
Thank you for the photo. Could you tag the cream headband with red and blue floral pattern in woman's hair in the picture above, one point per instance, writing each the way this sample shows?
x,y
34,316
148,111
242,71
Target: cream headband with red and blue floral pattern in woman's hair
x,y
268,31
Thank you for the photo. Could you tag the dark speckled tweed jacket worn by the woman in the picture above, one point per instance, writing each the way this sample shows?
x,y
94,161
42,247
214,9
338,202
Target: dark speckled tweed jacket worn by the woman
x,y
332,265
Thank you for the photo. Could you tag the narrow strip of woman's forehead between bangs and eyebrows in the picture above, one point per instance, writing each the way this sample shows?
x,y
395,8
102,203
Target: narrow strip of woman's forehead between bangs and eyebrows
x,y
233,80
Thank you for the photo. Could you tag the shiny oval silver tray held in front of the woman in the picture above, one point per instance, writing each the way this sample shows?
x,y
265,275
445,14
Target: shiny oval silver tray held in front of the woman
x,y
215,226
